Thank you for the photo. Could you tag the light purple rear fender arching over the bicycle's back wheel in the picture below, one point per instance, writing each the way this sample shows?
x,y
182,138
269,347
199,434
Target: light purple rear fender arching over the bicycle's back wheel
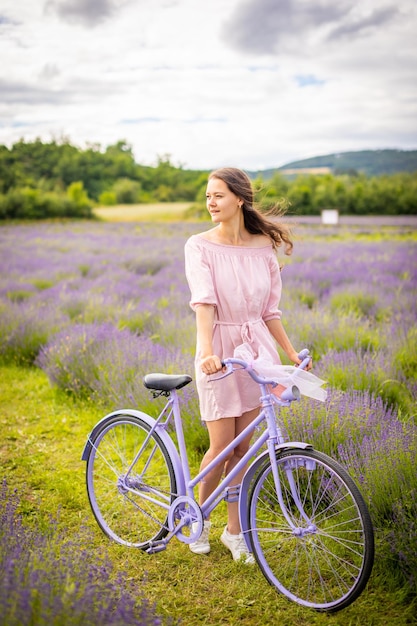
x,y
161,432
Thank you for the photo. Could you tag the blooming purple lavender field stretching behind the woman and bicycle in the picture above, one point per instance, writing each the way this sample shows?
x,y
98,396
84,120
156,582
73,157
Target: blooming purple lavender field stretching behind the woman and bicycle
x,y
96,306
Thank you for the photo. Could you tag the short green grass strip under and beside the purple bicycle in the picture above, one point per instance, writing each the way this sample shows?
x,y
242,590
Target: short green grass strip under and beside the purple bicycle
x,y
43,434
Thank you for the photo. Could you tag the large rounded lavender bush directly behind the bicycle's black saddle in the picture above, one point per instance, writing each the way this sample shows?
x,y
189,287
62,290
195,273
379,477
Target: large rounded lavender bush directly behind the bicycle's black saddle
x,y
101,362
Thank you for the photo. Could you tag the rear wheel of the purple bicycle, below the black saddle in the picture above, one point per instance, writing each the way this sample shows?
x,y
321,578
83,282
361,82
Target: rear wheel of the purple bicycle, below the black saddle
x,y
130,509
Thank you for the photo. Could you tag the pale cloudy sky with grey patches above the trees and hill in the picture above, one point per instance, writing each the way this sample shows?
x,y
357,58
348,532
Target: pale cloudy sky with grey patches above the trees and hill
x,y
248,83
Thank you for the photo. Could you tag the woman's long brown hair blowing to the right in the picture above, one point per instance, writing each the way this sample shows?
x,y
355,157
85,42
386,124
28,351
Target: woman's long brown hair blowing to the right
x,y
240,184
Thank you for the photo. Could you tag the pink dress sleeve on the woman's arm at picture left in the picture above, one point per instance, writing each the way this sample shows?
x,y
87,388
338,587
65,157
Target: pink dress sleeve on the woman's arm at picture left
x,y
198,274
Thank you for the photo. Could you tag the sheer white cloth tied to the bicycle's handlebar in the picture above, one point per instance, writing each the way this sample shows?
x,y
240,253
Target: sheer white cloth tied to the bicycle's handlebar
x,y
286,375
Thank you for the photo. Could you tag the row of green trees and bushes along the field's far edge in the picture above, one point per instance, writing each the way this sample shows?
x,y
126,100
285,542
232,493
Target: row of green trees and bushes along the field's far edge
x,y
57,179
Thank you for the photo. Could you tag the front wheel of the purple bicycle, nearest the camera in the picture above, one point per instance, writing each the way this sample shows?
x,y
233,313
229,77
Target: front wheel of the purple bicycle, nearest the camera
x,y
318,547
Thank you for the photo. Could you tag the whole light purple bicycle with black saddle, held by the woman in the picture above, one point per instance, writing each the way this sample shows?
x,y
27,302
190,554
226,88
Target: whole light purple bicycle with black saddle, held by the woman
x,y
301,514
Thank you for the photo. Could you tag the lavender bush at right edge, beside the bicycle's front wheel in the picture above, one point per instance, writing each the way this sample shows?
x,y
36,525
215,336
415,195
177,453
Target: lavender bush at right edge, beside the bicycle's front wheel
x,y
383,463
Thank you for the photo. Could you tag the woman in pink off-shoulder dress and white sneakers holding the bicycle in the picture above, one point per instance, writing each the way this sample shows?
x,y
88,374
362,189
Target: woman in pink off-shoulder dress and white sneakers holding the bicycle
x,y
235,285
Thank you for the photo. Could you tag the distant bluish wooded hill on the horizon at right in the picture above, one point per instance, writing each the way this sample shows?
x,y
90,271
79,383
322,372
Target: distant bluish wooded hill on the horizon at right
x,y
369,162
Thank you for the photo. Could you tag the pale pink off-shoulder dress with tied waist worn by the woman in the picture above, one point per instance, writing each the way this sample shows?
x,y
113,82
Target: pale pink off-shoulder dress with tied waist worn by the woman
x,y
244,285
